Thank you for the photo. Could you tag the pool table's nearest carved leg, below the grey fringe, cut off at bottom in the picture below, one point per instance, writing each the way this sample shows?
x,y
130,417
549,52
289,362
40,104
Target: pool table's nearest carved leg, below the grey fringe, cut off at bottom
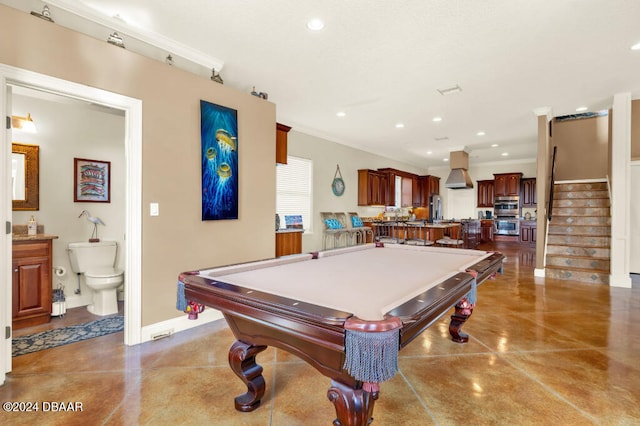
x,y
354,407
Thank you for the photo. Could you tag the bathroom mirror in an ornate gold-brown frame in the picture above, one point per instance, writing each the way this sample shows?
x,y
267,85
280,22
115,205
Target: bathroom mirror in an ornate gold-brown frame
x,y
24,176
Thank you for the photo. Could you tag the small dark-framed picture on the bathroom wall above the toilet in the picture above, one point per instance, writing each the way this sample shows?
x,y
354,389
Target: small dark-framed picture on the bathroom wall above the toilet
x,y
91,181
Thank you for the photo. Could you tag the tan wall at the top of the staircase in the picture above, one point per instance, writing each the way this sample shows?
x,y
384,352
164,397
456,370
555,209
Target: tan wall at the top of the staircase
x,y
583,148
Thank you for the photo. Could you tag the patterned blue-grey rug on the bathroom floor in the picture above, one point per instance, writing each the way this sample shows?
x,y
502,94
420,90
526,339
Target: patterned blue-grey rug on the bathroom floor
x,y
63,336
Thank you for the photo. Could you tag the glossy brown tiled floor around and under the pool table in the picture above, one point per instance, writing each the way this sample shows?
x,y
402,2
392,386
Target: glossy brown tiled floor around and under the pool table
x,y
541,352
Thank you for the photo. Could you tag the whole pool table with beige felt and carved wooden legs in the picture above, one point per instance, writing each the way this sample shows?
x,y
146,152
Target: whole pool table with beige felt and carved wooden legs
x,y
347,312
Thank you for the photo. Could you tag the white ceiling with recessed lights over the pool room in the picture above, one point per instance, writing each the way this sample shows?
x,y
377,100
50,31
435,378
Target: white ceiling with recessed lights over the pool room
x,y
382,63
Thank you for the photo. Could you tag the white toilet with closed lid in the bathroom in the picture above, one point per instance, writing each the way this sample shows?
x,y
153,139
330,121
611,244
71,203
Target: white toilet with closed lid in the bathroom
x,y
96,261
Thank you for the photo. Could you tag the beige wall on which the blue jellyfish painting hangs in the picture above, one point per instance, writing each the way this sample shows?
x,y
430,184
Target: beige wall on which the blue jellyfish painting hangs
x,y
177,240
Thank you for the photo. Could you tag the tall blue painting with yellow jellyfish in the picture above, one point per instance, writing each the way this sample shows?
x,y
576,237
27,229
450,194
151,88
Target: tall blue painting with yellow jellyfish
x,y
219,141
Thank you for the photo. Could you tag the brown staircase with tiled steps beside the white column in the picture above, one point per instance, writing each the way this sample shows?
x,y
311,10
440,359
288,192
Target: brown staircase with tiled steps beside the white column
x,y
579,238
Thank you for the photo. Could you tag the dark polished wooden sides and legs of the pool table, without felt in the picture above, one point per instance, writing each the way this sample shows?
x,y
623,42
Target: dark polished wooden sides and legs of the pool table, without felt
x,y
316,334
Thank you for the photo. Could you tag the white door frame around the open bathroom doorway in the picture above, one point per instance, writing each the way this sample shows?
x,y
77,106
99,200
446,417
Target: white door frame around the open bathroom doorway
x,y
133,182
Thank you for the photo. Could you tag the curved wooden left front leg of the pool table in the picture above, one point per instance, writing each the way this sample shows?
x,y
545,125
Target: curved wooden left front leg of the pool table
x,y
242,359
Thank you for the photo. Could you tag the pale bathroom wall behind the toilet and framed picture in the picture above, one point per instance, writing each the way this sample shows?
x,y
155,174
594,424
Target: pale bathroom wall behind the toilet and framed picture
x,y
68,130
